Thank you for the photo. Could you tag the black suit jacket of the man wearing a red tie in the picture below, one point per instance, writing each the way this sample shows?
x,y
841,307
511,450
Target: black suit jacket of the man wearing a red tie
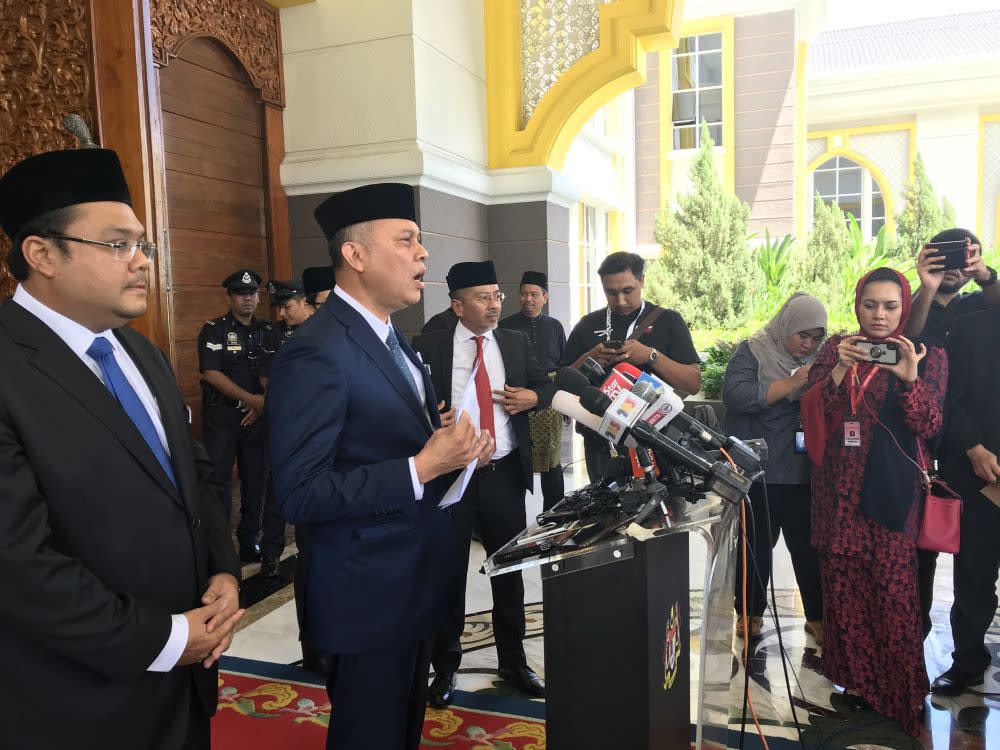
x,y
522,369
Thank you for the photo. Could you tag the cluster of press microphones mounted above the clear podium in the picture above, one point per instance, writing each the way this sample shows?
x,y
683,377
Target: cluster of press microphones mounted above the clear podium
x,y
638,411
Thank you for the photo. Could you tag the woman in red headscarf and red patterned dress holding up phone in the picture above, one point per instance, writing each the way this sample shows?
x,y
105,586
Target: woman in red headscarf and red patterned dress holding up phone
x,y
862,424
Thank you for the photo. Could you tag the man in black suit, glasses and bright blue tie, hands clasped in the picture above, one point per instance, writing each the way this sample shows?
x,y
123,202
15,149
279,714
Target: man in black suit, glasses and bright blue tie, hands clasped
x,y
120,589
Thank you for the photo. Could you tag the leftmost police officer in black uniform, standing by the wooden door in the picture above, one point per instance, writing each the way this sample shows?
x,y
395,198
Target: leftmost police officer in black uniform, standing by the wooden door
x,y
229,357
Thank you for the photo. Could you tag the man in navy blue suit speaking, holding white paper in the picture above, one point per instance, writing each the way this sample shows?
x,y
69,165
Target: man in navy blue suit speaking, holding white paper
x,y
360,459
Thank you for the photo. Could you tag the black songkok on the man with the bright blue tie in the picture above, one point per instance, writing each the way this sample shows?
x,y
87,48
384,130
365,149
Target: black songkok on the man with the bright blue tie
x,y
57,179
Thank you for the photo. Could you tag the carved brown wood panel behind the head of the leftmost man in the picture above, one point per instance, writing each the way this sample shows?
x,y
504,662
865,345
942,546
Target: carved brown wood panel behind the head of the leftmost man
x,y
45,74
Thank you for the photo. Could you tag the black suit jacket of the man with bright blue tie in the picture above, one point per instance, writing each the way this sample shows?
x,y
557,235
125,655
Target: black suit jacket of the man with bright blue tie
x,y
97,549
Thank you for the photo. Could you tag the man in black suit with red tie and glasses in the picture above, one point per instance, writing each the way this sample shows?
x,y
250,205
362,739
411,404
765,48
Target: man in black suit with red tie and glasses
x,y
509,383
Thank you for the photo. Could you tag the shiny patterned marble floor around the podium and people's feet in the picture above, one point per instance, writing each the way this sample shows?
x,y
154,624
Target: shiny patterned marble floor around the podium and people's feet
x,y
970,722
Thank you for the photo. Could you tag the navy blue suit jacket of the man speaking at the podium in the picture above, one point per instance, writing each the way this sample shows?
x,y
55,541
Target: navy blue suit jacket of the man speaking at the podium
x,y
343,424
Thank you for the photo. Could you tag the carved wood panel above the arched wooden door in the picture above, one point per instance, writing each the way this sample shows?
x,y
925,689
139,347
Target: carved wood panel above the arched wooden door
x,y
247,27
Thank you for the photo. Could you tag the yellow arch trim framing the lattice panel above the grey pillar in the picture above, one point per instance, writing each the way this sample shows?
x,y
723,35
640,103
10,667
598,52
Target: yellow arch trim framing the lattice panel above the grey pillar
x,y
628,30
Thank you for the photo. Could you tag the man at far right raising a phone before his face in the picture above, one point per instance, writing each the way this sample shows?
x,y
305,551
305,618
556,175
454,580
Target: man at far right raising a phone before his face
x,y
940,300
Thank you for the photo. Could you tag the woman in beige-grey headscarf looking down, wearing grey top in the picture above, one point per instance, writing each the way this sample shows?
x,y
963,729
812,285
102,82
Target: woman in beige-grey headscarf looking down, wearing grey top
x,y
761,391
